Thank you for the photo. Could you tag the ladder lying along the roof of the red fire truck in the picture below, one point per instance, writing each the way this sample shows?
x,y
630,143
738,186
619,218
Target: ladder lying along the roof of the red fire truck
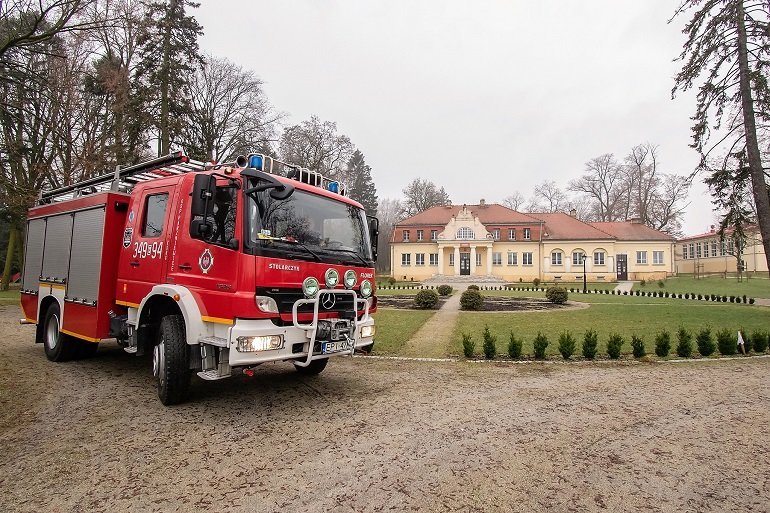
x,y
124,179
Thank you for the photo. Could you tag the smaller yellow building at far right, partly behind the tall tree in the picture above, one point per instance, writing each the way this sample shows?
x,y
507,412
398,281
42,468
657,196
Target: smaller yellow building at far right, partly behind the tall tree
x,y
708,253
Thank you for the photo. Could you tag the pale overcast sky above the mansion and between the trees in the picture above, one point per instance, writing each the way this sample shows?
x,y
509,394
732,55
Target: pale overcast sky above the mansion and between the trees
x,y
482,97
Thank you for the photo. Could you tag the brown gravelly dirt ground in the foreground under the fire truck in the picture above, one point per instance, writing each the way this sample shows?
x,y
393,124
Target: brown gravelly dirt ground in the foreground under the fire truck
x,y
382,435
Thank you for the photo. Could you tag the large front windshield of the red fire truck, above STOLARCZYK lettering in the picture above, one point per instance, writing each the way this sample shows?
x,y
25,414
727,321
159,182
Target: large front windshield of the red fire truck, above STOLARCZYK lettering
x,y
308,226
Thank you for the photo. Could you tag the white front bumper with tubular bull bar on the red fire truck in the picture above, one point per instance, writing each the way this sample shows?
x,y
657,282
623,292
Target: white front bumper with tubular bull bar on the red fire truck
x,y
300,339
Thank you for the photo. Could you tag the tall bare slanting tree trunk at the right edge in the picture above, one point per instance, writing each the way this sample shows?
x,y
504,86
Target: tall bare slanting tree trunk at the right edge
x,y
758,185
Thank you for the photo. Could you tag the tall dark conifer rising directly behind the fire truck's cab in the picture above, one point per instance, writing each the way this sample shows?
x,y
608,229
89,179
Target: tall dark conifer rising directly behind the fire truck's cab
x,y
168,49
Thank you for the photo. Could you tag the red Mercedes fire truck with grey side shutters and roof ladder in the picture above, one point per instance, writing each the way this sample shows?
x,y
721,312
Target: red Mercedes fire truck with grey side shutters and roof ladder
x,y
210,268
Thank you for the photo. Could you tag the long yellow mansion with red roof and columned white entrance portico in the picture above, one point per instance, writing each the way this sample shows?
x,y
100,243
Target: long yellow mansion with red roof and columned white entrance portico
x,y
494,242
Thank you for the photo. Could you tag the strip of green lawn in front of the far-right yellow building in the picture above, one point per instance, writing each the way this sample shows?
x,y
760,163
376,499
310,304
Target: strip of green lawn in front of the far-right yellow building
x,y
753,287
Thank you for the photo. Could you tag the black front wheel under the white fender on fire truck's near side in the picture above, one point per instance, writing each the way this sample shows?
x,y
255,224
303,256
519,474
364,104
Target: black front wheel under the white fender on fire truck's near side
x,y
171,360
